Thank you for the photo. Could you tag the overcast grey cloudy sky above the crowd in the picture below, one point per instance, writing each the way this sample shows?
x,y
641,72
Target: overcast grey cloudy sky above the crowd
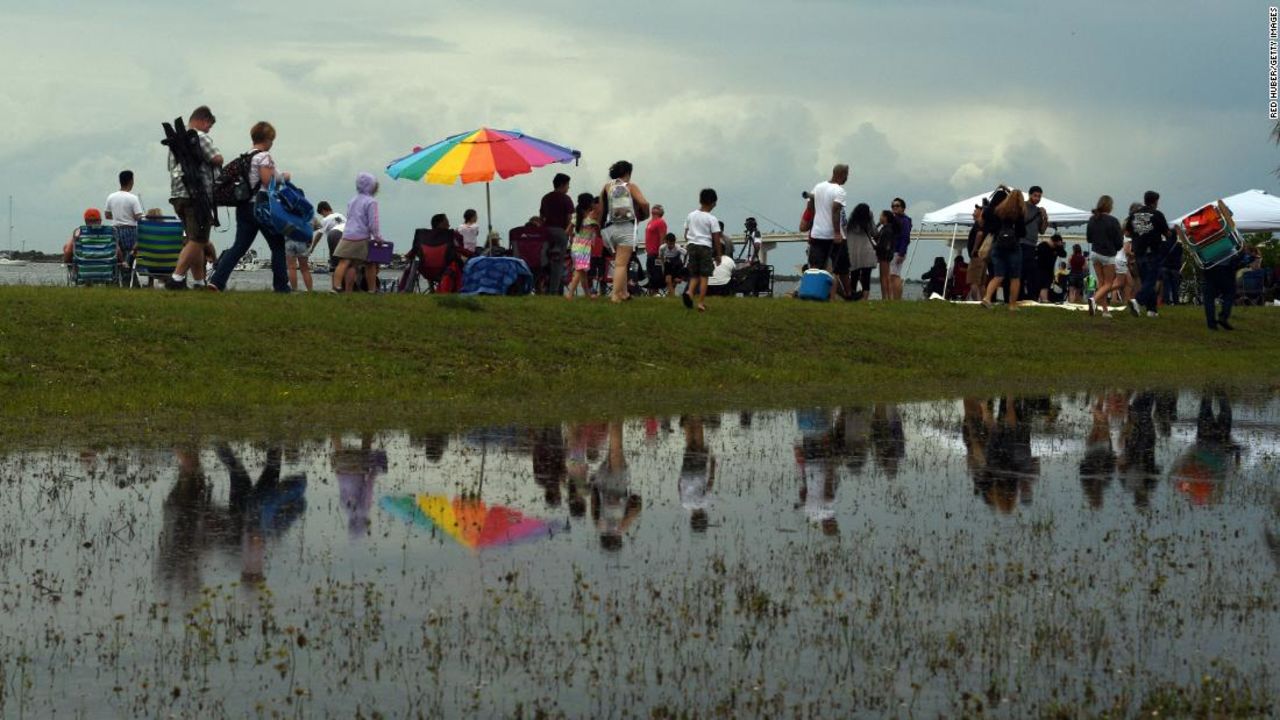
x,y
927,101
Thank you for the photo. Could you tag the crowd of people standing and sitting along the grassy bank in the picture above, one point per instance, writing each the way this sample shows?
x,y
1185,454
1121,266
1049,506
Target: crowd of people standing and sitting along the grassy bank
x,y
616,243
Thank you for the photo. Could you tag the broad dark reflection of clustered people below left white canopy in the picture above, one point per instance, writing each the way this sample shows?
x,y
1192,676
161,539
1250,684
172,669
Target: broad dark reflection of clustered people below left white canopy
x,y
1008,470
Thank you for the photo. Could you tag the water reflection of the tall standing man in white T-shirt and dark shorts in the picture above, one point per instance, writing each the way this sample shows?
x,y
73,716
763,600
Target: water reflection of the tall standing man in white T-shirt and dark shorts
x,y
820,452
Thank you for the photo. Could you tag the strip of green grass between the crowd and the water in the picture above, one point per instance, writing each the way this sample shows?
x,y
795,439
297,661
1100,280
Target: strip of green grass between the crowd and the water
x,y
139,366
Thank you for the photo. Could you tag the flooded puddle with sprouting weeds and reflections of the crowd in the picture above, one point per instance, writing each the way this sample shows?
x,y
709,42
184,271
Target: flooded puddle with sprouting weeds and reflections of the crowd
x,y
1012,557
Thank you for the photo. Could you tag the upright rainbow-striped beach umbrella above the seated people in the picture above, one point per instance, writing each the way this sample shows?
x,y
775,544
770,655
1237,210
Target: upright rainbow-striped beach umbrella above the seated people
x,y
478,157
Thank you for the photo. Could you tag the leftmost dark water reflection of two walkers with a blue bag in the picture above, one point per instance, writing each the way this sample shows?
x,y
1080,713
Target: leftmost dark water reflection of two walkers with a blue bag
x,y
255,513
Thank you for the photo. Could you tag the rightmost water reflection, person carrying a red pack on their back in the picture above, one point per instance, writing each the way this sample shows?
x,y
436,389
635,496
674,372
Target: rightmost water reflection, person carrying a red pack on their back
x,y
1201,472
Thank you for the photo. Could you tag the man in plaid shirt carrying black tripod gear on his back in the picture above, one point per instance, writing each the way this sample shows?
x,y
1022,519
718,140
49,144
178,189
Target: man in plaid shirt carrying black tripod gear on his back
x,y
195,229
